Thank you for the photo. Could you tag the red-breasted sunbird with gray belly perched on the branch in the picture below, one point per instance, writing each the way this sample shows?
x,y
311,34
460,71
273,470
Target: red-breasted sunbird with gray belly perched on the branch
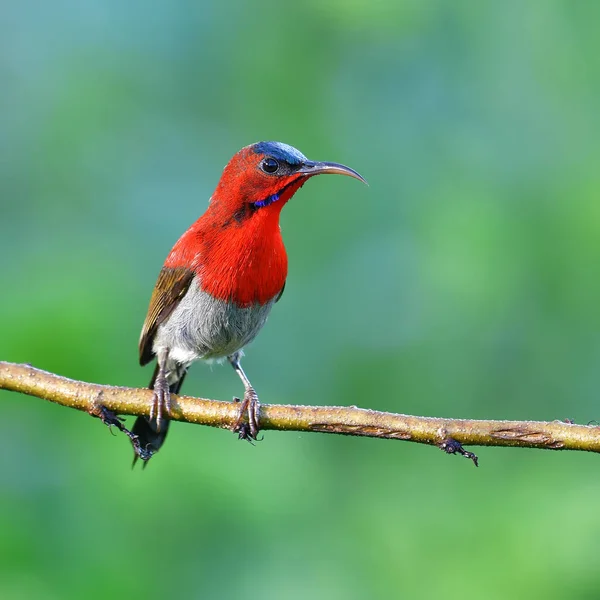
x,y
220,281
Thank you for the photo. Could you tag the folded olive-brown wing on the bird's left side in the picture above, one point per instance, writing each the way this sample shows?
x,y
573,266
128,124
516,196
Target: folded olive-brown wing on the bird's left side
x,y
170,288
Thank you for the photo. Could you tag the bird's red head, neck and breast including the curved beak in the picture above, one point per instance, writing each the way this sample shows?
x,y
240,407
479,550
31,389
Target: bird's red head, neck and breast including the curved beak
x,y
235,247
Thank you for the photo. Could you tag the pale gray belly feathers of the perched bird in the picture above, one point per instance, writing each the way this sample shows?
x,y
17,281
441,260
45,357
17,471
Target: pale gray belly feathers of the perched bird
x,y
204,327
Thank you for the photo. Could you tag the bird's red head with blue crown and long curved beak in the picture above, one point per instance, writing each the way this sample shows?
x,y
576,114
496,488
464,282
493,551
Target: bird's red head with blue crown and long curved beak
x,y
265,175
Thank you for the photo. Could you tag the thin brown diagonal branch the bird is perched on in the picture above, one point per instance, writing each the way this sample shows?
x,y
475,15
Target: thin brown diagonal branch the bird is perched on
x,y
447,434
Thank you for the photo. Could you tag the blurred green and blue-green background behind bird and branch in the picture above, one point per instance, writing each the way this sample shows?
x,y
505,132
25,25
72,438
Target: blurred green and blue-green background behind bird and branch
x,y
463,282
